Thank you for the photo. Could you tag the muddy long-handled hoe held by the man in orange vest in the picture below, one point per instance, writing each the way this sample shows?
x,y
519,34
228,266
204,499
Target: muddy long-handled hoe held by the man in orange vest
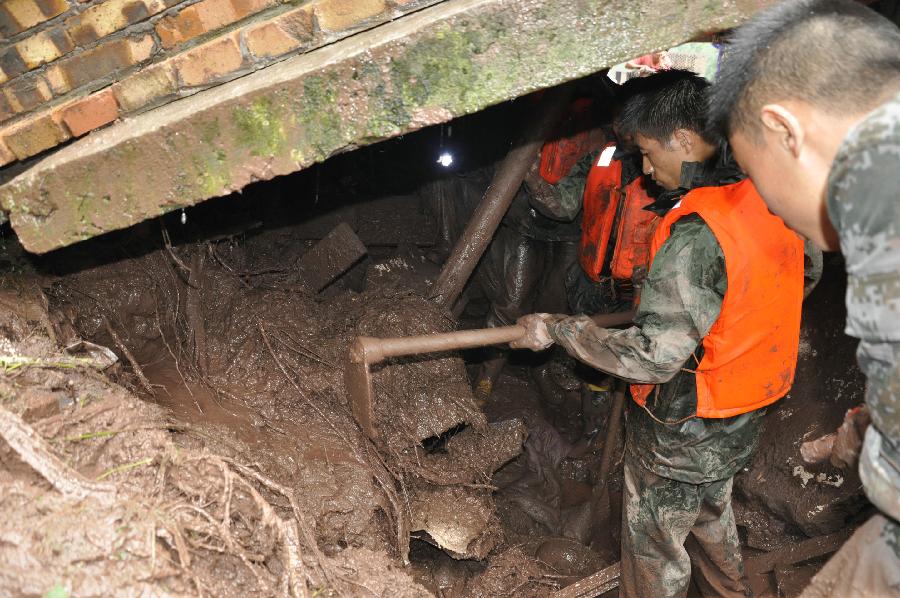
x,y
366,351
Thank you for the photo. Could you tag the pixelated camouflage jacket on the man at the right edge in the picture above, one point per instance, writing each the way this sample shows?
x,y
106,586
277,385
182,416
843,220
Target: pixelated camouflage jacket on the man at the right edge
x,y
864,206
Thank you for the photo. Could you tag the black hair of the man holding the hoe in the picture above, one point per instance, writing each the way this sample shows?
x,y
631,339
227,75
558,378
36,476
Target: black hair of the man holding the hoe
x,y
658,105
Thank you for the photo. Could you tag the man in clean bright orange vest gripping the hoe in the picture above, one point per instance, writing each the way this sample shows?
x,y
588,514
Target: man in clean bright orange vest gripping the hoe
x,y
715,341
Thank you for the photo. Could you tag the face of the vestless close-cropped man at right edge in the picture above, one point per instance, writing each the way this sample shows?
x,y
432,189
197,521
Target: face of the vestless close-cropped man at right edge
x,y
792,183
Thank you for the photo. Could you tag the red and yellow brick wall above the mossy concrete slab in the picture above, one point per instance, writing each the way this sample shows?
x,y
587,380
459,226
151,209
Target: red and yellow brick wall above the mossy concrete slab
x,y
68,67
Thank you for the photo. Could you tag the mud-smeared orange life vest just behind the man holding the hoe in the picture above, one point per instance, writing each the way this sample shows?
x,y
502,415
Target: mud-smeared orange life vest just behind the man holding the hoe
x,y
603,198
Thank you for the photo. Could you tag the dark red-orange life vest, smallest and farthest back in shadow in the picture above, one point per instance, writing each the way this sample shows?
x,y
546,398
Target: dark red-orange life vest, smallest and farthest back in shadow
x,y
560,155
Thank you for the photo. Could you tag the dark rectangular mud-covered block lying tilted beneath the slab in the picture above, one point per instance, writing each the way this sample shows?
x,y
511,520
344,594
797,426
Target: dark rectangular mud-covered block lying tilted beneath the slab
x,y
330,257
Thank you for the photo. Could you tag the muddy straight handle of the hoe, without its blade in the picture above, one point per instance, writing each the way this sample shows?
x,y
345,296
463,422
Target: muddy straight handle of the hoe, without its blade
x,y
374,350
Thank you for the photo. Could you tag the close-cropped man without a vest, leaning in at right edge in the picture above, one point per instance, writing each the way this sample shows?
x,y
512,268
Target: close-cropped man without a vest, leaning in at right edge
x,y
819,134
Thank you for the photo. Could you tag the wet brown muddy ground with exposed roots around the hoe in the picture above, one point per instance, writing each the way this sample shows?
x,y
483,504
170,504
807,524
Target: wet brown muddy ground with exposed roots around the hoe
x,y
218,454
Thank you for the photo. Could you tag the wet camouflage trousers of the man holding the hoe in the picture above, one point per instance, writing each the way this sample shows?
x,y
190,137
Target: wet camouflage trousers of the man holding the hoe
x,y
658,514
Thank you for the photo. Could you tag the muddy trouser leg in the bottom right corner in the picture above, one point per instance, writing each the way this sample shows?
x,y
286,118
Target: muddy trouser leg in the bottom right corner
x,y
868,564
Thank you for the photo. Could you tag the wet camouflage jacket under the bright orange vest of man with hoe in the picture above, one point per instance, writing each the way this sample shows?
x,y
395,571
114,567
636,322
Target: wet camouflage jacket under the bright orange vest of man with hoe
x,y
680,301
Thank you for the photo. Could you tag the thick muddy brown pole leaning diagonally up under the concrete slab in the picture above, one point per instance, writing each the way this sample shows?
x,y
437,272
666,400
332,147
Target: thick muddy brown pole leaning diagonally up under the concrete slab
x,y
497,199
